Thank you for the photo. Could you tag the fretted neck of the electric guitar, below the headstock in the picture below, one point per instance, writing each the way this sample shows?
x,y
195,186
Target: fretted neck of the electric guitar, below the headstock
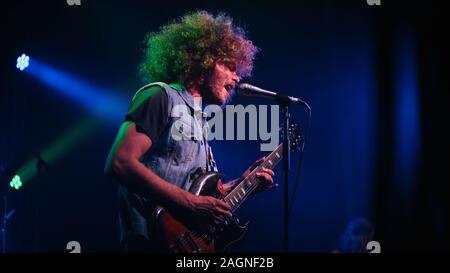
x,y
238,195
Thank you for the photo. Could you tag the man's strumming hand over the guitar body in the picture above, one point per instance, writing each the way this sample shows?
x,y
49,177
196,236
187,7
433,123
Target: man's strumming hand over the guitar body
x,y
210,208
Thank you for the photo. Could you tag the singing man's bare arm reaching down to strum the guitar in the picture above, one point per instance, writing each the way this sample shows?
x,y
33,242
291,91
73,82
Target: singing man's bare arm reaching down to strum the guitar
x,y
123,163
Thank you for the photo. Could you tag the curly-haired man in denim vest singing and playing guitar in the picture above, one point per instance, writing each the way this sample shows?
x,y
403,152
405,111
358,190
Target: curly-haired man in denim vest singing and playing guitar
x,y
198,57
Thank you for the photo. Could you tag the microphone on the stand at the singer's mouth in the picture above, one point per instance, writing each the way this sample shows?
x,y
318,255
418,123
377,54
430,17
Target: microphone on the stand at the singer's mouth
x,y
248,90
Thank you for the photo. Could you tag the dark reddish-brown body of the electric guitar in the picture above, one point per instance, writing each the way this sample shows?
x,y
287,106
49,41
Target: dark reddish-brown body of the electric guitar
x,y
181,234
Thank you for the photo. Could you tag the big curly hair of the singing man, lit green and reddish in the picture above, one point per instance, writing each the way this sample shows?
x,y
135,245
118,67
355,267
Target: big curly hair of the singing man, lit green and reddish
x,y
186,50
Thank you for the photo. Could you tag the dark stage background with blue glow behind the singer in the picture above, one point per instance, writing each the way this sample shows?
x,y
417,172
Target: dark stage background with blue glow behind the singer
x,y
375,76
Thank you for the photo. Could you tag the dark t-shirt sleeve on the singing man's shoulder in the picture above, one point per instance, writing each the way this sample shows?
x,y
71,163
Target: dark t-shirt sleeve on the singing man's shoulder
x,y
149,111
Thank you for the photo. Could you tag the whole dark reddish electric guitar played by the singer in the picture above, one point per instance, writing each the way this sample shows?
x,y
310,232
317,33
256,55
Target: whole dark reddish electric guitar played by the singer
x,y
181,234
